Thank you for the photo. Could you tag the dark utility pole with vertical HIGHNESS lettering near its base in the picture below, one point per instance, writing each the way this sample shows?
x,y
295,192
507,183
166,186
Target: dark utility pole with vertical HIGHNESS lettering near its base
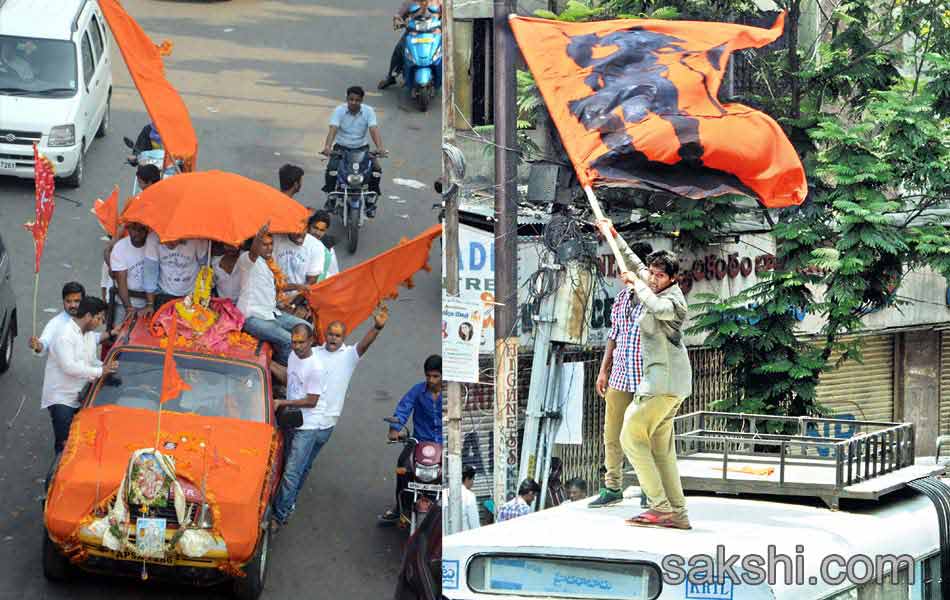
x,y
506,247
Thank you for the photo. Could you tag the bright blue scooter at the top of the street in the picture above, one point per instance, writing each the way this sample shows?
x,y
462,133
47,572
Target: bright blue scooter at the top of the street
x,y
422,57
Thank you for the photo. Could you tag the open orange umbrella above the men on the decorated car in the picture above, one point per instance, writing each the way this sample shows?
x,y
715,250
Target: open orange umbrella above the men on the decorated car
x,y
214,205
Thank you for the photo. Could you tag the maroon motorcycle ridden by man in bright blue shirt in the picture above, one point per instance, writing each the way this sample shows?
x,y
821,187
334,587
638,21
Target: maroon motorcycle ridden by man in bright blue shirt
x,y
423,489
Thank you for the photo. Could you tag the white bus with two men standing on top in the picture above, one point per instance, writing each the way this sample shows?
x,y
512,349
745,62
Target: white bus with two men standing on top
x,y
575,552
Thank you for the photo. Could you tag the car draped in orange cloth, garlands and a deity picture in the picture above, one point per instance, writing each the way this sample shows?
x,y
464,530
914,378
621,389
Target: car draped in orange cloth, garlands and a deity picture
x,y
179,489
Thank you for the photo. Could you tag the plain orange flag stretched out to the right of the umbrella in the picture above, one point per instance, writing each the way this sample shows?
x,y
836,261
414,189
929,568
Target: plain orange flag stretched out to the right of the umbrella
x,y
351,296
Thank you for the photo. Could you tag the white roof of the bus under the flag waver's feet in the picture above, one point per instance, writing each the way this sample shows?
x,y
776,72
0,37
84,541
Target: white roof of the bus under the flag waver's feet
x,y
742,526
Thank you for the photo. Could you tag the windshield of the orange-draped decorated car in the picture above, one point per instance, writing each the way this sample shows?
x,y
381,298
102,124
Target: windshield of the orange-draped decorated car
x,y
219,388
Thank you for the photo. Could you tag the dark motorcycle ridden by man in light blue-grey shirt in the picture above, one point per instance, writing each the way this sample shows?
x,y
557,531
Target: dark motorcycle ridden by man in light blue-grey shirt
x,y
352,192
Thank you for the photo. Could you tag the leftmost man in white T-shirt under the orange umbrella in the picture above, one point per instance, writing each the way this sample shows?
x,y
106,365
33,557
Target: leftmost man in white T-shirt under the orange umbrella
x,y
134,264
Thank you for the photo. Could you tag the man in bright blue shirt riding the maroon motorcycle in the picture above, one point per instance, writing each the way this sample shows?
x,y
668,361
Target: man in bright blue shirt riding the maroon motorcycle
x,y
423,402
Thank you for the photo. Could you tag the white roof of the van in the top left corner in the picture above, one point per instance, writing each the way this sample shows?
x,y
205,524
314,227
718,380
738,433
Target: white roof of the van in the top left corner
x,y
22,18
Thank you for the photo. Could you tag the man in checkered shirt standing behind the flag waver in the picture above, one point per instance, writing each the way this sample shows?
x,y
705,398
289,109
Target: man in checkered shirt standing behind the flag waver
x,y
620,374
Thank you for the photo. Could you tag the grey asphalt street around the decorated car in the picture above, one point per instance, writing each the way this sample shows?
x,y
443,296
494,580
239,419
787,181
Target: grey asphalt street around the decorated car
x,y
260,79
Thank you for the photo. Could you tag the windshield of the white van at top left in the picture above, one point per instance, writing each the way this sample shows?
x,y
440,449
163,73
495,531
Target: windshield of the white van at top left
x,y
37,67
